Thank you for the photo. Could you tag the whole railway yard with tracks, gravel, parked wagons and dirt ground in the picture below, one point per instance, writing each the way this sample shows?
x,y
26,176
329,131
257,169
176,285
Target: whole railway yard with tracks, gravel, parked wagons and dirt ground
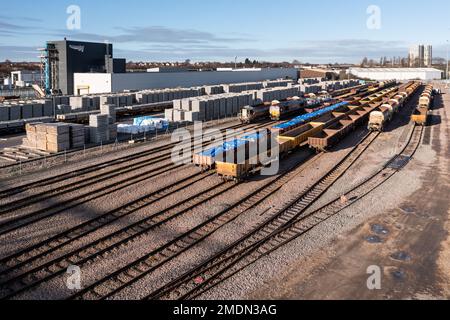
x,y
352,192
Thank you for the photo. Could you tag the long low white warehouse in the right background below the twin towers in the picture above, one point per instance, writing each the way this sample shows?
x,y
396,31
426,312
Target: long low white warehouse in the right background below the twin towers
x,y
381,74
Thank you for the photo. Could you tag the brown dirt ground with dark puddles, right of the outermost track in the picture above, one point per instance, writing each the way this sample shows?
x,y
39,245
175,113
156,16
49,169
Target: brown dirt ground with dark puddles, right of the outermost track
x,y
412,242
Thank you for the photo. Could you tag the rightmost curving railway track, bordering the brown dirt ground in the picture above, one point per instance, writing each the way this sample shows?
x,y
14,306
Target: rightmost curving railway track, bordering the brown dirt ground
x,y
240,255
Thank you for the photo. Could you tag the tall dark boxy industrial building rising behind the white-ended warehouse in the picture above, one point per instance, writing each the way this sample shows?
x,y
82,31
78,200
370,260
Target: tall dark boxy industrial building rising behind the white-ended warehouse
x,y
65,58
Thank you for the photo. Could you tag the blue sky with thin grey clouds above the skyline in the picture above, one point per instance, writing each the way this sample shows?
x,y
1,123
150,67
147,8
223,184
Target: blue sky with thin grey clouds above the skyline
x,y
175,30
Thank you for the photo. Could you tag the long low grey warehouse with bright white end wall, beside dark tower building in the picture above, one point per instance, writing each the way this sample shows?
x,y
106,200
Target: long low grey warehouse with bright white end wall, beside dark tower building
x,y
90,83
